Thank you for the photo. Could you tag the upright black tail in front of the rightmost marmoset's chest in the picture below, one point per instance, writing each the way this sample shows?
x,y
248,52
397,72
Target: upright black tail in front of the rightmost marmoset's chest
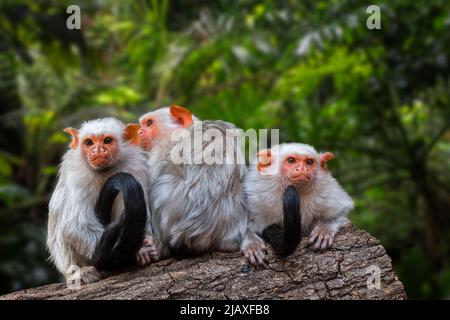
x,y
284,240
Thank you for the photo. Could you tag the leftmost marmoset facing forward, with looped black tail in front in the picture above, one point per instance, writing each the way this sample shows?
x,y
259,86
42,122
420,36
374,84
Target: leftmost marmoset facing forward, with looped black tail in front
x,y
87,227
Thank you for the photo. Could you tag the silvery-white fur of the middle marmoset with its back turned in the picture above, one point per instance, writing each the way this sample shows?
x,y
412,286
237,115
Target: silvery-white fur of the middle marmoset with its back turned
x,y
195,207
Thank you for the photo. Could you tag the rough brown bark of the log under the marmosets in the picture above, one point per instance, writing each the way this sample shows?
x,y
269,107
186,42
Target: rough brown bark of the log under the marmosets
x,y
341,272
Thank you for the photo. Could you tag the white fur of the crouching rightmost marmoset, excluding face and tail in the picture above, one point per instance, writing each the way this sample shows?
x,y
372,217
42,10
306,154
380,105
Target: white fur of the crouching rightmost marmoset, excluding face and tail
x,y
323,202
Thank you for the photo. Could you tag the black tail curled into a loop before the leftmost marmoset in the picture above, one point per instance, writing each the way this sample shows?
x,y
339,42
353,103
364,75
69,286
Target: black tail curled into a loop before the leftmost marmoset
x,y
122,238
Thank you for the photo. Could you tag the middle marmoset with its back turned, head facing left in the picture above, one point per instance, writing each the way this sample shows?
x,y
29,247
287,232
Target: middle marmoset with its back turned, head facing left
x,y
196,208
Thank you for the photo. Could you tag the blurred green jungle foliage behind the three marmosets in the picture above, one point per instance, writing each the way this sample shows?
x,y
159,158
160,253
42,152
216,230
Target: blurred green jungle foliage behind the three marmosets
x,y
379,99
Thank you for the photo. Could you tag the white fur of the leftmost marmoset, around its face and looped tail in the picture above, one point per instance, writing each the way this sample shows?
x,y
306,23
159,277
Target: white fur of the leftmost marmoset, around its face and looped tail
x,y
73,229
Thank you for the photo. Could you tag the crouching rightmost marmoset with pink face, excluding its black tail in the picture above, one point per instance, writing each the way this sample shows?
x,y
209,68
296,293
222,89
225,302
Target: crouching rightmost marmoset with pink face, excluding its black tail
x,y
324,204
